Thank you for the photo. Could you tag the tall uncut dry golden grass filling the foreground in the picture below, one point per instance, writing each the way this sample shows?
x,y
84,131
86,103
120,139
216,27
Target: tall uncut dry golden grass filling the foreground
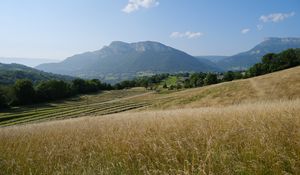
x,y
259,138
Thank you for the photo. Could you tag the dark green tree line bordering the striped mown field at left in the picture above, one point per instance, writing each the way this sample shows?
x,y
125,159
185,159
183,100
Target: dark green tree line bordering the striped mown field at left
x,y
24,92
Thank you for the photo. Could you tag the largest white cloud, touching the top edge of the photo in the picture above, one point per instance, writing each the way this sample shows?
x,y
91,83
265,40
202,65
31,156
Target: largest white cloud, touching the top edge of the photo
x,y
134,5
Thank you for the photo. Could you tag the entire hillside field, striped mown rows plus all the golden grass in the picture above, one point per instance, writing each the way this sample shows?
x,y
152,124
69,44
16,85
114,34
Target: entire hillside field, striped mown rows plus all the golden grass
x,y
247,126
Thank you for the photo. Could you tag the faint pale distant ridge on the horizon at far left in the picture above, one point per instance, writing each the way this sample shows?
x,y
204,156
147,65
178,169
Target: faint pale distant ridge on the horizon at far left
x,y
31,62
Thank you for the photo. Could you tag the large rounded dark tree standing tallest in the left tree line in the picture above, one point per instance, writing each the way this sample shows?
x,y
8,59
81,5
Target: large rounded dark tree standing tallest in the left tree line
x,y
24,91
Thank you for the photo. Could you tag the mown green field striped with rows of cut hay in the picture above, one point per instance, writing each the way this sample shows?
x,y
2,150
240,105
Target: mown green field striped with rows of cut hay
x,y
97,104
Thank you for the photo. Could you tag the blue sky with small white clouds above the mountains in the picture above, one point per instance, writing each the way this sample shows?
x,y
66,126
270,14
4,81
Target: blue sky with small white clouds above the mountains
x,y
57,29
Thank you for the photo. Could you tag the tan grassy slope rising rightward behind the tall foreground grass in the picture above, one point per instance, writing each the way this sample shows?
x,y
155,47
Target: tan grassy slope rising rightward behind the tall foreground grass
x,y
279,85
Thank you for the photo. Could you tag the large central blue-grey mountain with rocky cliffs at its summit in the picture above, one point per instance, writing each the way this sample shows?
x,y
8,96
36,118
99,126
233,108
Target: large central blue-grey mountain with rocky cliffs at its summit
x,y
122,60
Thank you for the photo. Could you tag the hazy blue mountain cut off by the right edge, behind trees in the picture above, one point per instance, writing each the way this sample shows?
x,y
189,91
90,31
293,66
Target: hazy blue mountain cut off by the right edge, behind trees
x,y
246,59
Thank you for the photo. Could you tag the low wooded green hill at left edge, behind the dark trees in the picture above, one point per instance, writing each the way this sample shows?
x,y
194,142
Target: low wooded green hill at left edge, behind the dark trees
x,y
9,73
